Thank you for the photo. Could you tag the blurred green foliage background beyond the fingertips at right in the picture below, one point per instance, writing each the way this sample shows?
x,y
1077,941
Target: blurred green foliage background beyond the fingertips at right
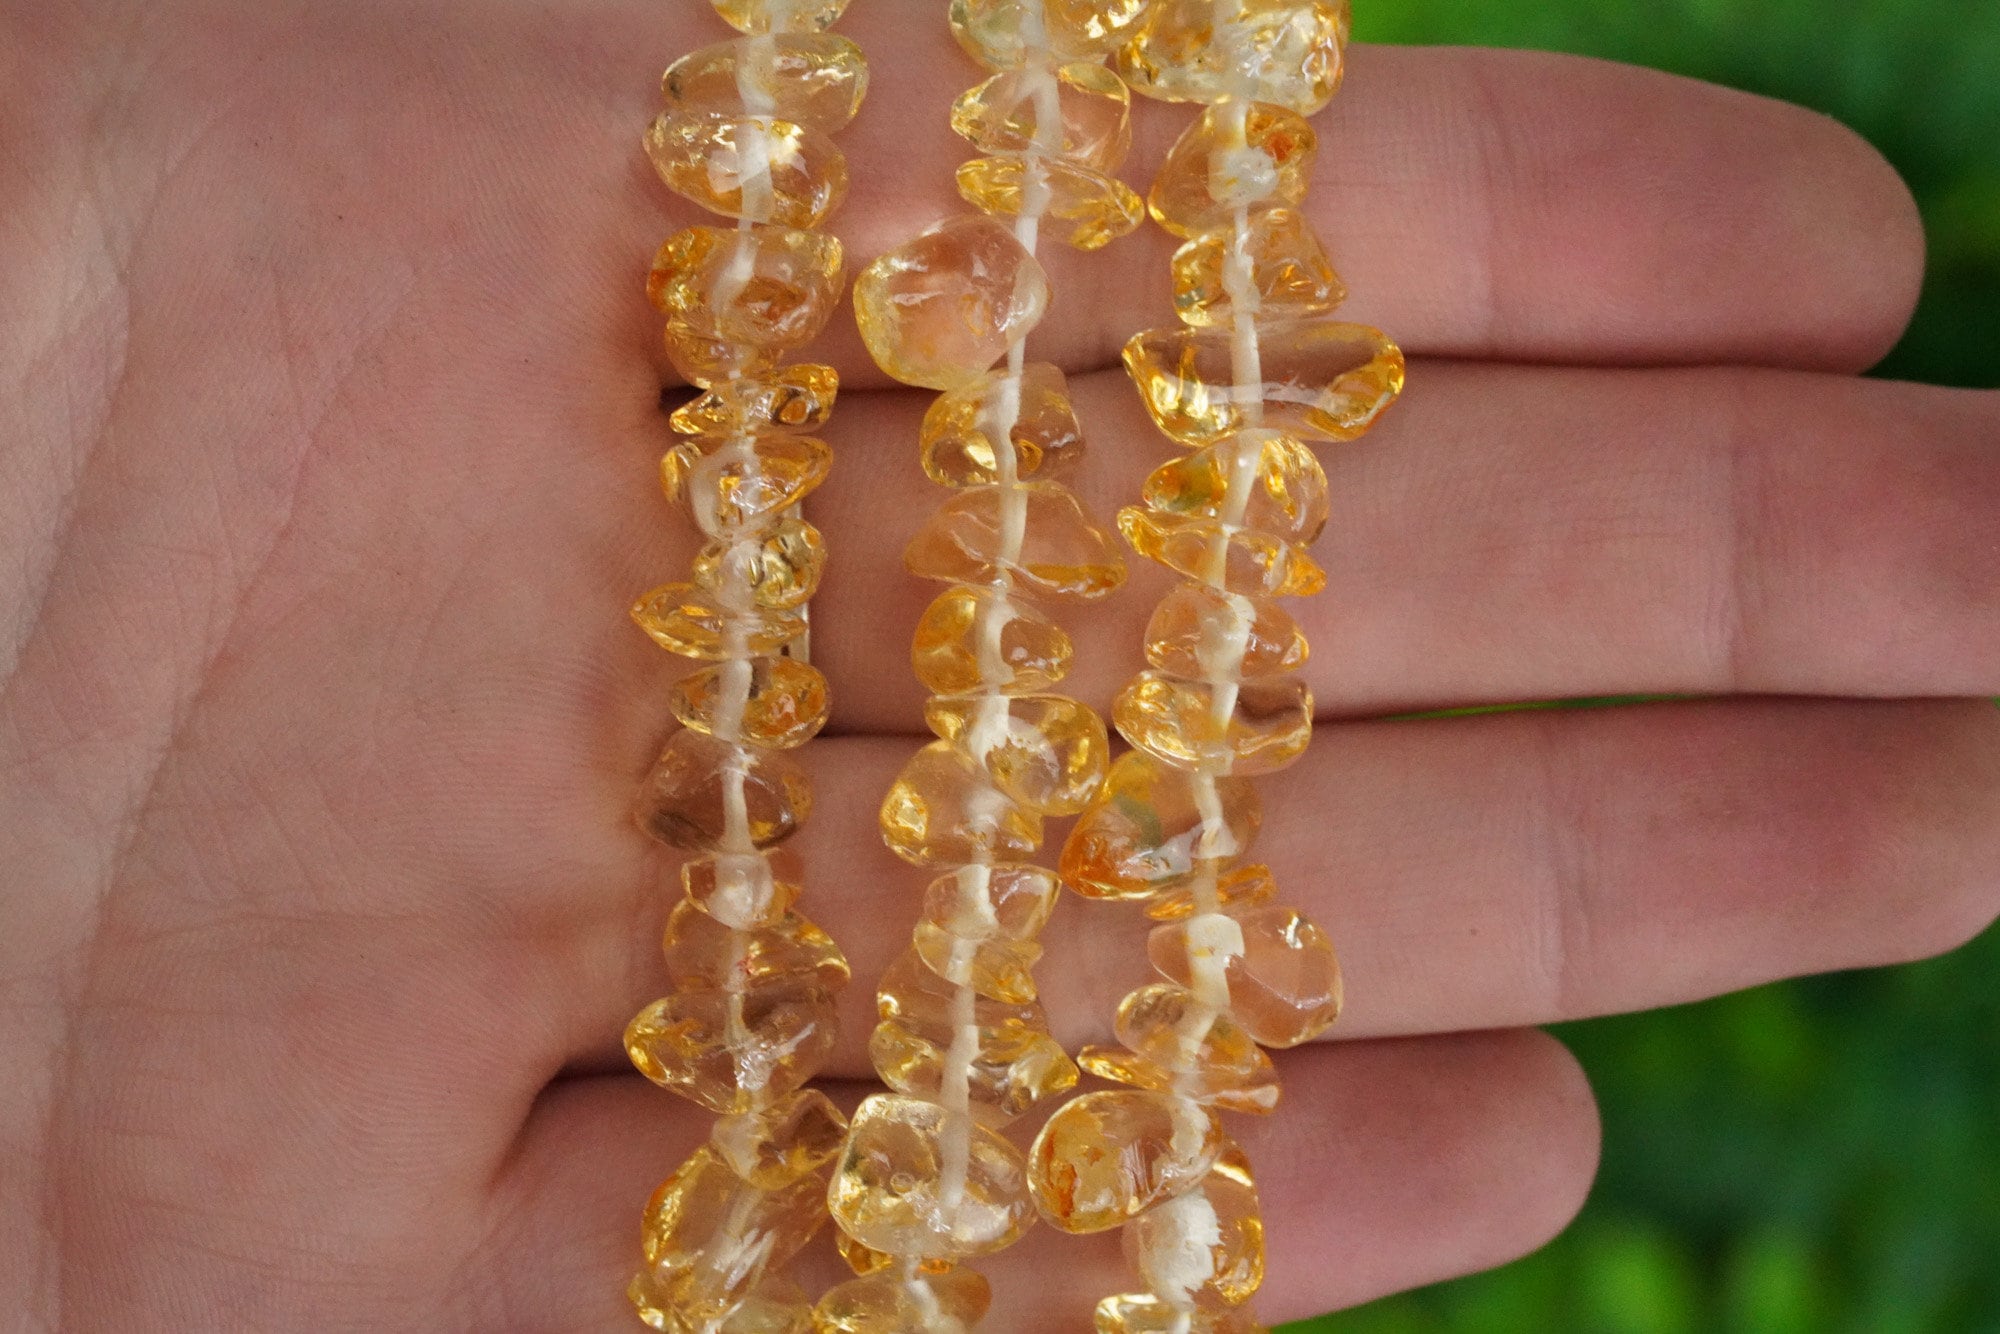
x,y
1815,1157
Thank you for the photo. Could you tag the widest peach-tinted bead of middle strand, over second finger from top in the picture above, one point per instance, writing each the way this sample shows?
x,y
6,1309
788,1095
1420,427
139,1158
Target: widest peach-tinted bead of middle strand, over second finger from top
x,y
1037,533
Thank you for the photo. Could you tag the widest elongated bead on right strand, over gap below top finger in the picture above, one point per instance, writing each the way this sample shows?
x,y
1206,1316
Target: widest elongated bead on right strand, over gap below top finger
x,y
1323,381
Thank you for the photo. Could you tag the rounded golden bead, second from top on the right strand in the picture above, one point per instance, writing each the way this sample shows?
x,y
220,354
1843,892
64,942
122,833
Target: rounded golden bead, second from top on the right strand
x,y
1209,175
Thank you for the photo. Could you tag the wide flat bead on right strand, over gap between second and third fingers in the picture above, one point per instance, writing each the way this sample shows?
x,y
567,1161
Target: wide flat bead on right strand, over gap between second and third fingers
x,y
1257,727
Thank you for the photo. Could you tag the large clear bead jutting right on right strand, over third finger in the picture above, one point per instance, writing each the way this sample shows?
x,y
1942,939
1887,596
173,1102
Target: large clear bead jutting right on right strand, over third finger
x,y
1281,969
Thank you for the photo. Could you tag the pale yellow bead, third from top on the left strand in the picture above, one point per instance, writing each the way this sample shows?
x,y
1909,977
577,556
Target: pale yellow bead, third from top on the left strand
x,y
749,167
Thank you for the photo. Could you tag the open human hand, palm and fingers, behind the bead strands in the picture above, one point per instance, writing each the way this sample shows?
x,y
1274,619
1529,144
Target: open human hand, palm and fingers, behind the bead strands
x,y
329,423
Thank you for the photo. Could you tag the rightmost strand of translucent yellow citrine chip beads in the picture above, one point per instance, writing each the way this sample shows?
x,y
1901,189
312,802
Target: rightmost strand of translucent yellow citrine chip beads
x,y
1253,377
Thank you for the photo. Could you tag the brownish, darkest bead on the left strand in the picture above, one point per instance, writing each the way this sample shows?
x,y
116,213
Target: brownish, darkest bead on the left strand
x,y
689,797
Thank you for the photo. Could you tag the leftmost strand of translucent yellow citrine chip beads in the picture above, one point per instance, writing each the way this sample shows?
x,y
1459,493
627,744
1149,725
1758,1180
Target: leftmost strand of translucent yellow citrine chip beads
x,y
751,1015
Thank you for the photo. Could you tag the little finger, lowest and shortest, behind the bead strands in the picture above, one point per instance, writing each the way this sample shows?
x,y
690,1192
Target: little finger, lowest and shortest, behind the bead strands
x,y
1391,1165
